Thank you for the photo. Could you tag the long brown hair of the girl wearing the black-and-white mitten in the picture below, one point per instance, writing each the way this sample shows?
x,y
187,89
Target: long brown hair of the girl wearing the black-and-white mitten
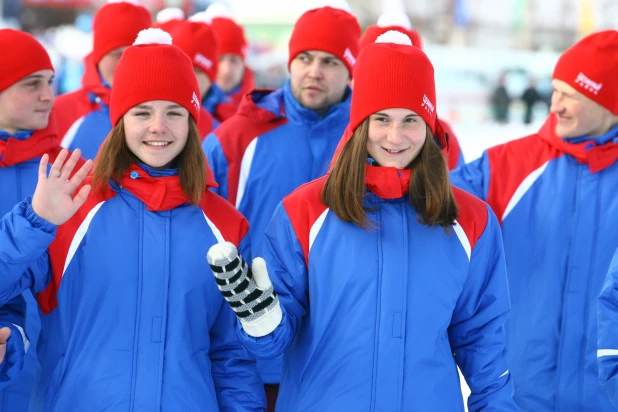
x,y
430,189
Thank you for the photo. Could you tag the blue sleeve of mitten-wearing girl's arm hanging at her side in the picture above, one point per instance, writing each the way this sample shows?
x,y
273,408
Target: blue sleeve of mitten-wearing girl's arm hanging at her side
x,y
476,332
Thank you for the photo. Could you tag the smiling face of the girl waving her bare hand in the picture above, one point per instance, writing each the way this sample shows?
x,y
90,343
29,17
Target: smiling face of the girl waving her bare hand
x,y
156,132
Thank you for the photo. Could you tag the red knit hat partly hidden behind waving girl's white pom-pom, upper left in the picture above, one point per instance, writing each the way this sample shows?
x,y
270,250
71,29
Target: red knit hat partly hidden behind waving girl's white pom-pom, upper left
x,y
116,24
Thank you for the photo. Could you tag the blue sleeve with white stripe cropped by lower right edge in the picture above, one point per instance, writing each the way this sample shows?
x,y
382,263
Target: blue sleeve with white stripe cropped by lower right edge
x,y
607,339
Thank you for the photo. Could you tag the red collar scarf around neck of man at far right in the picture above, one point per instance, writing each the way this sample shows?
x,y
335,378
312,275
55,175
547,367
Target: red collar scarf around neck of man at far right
x,y
596,157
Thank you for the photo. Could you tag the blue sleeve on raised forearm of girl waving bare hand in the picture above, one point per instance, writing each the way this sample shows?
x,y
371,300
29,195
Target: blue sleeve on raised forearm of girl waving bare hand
x,y
24,260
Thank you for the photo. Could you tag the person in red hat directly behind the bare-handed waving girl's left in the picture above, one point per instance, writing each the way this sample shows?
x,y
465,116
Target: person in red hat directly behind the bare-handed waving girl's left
x,y
82,116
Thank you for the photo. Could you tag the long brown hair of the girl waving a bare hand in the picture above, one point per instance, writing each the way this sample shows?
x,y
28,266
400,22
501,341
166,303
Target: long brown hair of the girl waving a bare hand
x,y
115,158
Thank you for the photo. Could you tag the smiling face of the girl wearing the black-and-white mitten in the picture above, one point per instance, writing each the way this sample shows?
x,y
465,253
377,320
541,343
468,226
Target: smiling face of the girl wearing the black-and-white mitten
x,y
395,137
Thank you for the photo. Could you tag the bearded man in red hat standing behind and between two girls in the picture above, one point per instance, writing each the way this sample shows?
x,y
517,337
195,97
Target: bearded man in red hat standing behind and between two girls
x,y
279,140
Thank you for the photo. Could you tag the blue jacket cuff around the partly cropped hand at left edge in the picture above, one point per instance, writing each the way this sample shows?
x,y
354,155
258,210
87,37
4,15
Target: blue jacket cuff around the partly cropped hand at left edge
x,y
13,316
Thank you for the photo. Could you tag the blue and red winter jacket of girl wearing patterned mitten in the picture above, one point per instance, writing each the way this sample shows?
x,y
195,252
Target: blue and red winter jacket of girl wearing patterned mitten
x,y
379,320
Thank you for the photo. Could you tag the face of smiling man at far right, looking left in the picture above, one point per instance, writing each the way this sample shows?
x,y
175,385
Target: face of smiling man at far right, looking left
x,y
578,115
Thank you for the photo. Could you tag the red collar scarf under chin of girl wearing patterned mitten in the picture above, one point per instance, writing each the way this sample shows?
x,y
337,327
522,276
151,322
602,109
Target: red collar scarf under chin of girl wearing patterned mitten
x,y
387,182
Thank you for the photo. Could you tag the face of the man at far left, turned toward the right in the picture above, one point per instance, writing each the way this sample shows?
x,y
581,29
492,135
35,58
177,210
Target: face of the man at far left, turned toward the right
x,y
26,105
